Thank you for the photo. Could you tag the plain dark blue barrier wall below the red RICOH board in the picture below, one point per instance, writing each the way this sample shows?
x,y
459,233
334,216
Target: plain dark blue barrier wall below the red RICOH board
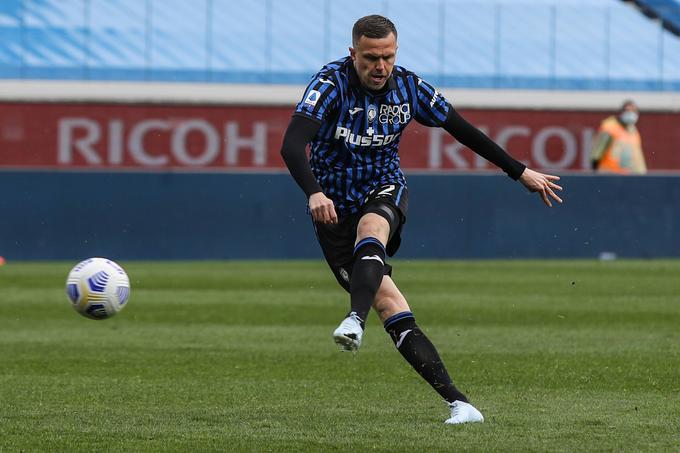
x,y
223,216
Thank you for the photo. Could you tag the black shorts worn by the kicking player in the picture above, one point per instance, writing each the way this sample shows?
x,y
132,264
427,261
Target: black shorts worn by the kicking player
x,y
337,241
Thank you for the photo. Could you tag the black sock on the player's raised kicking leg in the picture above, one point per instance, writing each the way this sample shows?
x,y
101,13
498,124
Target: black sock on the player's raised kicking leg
x,y
367,274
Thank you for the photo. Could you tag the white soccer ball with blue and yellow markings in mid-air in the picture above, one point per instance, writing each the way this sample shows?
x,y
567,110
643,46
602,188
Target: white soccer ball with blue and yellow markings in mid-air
x,y
98,288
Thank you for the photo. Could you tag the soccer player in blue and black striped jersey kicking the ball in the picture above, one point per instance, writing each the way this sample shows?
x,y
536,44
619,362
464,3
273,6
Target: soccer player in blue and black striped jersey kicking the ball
x,y
353,114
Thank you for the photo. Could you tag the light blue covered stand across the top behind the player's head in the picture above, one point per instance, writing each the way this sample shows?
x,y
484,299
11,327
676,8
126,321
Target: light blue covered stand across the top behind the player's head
x,y
566,44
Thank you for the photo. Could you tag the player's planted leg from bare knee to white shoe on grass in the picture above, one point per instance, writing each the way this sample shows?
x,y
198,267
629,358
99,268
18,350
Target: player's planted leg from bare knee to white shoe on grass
x,y
416,348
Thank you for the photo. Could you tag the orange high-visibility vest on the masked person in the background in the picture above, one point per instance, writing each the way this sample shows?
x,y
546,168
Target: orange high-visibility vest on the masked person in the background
x,y
624,153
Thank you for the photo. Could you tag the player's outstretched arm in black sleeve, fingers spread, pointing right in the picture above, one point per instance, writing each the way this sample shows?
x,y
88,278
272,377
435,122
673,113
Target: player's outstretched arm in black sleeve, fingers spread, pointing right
x,y
477,141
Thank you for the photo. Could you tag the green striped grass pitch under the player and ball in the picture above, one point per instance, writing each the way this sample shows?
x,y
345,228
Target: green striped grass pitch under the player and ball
x,y
238,356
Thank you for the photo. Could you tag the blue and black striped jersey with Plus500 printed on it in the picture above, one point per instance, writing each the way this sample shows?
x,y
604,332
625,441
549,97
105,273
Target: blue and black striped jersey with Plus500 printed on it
x,y
356,148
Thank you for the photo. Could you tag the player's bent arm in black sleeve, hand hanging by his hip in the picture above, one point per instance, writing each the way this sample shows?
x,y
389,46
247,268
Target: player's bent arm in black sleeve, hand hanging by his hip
x,y
301,131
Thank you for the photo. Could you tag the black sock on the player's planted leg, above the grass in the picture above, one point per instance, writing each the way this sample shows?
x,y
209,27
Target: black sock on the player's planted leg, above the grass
x,y
421,354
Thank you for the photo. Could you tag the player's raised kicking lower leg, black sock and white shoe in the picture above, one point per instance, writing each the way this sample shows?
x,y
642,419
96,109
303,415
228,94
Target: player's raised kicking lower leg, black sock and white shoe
x,y
367,274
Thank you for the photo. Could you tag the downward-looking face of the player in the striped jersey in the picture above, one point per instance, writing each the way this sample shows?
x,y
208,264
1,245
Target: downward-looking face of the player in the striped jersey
x,y
374,59
